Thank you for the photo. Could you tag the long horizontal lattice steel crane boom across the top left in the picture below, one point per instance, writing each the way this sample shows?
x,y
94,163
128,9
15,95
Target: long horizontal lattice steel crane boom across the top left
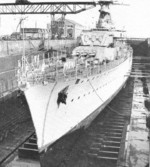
x,y
46,7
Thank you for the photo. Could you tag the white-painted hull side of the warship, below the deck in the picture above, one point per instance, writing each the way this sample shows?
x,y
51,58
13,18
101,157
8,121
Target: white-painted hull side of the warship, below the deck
x,y
85,101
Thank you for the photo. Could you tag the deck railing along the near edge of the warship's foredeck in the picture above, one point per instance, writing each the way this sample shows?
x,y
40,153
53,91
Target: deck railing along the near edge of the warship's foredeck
x,y
54,72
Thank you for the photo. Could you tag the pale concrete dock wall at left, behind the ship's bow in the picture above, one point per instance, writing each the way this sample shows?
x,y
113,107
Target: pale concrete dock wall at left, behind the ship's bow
x,y
10,53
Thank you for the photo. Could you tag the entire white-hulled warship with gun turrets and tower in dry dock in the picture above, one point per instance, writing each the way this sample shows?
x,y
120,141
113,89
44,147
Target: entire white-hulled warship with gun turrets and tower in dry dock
x,y
65,93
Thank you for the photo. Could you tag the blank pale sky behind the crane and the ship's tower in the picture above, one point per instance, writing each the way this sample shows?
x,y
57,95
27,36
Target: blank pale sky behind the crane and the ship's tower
x,y
135,18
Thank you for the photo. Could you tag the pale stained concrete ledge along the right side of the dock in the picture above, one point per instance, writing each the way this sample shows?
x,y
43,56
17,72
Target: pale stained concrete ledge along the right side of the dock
x,y
137,136
